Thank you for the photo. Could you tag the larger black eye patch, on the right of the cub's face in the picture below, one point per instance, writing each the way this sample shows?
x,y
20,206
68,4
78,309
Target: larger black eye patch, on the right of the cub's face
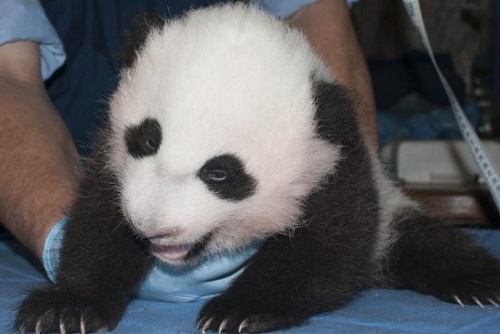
x,y
226,177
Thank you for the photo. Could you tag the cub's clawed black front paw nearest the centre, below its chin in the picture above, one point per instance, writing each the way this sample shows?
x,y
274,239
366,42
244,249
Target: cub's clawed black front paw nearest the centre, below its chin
x,y
243,314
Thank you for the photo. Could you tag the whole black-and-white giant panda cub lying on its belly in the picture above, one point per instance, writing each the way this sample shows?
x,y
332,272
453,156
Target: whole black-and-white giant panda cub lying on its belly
x,y
226,129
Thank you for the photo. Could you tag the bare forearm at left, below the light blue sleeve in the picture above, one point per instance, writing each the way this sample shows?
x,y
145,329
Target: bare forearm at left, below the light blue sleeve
x,y
38,161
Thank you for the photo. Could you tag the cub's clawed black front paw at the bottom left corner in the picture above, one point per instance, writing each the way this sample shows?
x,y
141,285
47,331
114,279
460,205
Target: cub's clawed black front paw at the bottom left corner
x,y
46,310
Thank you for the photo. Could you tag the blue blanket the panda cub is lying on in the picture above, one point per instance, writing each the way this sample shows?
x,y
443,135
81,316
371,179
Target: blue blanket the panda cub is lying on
x,y
375,311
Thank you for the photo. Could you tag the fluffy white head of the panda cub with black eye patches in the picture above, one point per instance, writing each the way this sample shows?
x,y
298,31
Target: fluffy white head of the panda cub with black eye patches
x,y
213,136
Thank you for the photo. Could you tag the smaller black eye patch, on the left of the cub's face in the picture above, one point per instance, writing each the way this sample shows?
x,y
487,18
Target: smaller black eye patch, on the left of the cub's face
x,y
143,140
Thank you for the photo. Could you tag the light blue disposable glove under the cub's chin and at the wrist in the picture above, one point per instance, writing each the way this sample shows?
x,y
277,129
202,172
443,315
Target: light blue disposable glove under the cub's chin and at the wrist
x,y
164,282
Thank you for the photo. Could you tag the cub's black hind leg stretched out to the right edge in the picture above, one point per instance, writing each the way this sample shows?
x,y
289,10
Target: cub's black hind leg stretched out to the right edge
x,y
435,259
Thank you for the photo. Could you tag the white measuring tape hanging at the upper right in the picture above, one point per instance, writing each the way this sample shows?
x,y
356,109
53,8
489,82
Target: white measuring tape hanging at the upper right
x,y
484,162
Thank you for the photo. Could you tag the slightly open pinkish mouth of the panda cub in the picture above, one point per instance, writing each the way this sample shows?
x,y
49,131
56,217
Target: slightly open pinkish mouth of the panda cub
x,y
179,253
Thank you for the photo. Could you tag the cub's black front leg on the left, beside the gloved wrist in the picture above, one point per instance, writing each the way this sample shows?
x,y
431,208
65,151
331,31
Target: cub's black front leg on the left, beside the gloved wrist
x,y
101,263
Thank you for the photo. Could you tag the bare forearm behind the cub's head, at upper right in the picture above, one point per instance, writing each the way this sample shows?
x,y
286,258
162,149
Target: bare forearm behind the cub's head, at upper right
x,y
327,25
